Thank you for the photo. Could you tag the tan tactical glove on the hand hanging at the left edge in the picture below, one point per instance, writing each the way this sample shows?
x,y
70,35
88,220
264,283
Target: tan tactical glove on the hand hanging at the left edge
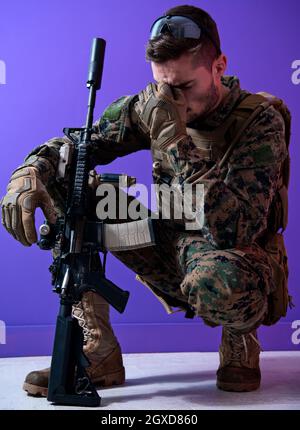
x,y
25,192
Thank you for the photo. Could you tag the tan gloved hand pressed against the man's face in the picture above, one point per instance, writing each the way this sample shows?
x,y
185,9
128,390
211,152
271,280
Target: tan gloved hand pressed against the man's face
x,y
162,113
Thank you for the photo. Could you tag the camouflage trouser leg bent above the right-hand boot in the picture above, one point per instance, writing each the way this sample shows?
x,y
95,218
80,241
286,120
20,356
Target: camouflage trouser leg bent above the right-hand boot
x,y
225,287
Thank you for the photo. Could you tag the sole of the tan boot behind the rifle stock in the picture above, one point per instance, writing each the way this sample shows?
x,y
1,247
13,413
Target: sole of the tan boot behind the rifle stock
x,y
115,378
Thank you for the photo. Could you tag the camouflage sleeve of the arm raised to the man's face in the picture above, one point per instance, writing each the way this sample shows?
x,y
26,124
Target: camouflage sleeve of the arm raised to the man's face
x,y
236,206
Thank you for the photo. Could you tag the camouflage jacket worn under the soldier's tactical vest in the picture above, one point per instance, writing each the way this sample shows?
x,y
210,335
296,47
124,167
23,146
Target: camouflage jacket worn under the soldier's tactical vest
x,y
237,198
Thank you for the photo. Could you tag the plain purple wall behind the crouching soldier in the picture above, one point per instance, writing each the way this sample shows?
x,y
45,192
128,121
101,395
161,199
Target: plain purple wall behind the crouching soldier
x,y
45,46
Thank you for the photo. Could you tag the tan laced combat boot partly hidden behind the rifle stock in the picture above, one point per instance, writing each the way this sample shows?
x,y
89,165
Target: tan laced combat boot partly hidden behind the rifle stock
x,y
100,346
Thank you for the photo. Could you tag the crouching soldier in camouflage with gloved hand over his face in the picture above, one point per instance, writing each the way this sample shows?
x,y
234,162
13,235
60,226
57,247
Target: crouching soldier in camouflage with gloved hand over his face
x,y
188,119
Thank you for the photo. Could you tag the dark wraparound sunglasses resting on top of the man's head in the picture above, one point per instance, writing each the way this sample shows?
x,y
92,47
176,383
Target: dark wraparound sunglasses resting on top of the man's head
x,y
180,27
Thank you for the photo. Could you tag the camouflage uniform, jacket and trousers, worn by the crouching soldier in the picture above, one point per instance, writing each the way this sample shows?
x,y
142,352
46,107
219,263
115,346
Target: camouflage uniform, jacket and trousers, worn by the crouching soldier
x,y
219,271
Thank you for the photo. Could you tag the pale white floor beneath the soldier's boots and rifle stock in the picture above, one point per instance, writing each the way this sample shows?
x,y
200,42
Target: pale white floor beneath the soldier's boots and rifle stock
x,y
169,381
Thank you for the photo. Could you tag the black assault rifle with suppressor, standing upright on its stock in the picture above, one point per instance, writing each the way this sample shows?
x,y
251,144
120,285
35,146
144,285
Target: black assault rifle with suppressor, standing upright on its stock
x,y
76,241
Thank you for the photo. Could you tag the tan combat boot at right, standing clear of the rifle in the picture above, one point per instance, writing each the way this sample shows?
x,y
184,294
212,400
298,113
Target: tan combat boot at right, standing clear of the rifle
x,y
239,361
